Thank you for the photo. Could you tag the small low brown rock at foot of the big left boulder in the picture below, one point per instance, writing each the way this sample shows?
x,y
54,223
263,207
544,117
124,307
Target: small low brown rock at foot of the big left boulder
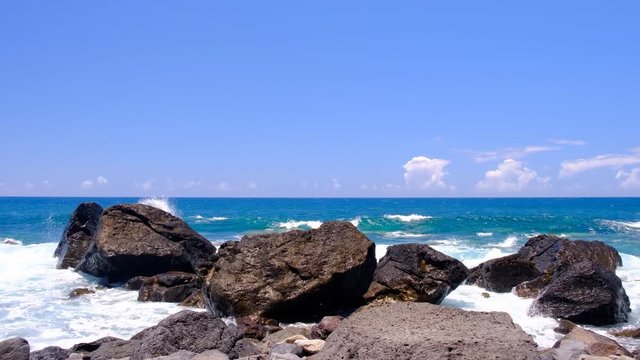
x,y
174,286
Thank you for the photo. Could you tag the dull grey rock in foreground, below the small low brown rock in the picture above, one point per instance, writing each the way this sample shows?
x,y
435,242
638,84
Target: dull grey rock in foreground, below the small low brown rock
x,y
186,330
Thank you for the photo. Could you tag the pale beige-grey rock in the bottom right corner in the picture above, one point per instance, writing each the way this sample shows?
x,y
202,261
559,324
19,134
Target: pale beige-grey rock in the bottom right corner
x,y
583,342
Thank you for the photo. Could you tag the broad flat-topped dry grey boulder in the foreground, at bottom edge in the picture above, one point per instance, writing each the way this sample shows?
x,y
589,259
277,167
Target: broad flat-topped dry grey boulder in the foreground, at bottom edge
x,y
407,330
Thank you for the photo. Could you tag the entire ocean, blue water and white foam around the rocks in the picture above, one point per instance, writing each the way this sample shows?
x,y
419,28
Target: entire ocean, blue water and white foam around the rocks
x,y
34,301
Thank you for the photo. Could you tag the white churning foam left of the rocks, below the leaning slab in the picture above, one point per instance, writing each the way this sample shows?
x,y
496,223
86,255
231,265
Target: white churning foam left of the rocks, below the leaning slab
x,y
34,302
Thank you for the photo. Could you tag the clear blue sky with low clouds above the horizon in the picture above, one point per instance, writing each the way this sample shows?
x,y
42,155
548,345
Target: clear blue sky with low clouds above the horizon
x,y
325,98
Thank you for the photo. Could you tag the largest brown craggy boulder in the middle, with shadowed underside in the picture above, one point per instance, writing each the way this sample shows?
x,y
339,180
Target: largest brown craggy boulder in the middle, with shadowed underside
x,y
294,275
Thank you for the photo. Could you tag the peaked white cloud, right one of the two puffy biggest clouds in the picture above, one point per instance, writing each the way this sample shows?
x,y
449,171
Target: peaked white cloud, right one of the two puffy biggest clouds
x,y
510,176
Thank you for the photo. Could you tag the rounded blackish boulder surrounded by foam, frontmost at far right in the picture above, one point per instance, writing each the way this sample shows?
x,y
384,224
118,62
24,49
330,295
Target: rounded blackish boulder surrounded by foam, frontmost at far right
x,y
585,293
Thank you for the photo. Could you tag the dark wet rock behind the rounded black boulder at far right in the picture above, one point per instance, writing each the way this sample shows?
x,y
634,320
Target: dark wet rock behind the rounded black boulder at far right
x,y
540,257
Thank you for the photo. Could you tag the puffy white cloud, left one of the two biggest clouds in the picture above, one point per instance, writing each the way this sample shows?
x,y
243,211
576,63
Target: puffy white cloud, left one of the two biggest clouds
x,y
425,173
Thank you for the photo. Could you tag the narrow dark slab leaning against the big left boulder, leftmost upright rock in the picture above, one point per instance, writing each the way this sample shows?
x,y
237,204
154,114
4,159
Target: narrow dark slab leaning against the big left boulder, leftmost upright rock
x,y
78,235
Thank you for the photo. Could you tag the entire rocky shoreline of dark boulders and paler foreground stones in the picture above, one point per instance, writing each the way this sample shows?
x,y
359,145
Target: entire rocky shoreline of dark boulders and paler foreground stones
x,y
362,308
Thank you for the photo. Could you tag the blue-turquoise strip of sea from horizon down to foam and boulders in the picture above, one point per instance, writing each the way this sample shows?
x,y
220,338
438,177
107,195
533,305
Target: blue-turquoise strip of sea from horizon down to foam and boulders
x,y
467,221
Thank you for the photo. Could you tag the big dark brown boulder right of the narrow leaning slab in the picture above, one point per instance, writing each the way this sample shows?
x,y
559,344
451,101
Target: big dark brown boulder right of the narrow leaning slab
x,y
140,240
